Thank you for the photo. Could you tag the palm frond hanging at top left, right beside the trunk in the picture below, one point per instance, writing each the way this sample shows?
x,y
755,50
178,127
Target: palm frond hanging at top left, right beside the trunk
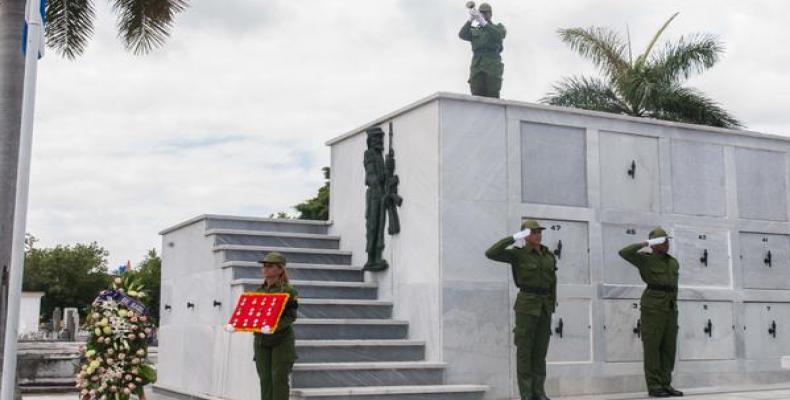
x,y
69,26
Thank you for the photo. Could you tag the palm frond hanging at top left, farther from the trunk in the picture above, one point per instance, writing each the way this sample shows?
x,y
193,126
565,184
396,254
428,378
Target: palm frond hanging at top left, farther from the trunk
x,y
145,24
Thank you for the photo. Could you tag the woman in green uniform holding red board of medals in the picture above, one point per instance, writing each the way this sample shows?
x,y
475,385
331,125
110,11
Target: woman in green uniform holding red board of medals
x,y
275,352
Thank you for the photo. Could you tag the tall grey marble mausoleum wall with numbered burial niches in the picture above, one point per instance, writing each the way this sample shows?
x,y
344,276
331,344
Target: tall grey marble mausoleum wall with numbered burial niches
x,y
476,167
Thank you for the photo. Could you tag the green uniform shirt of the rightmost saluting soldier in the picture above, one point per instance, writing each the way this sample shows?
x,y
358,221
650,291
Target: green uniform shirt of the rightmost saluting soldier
x,y
658,270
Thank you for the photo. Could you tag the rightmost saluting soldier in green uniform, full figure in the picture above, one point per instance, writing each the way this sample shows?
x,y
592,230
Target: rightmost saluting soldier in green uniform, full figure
x,y
659,310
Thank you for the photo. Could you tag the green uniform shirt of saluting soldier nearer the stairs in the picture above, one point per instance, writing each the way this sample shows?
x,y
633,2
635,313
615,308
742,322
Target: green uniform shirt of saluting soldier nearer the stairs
x,y
532,268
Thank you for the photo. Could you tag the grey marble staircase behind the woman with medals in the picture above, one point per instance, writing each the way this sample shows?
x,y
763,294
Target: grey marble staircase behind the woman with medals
x,y
348,344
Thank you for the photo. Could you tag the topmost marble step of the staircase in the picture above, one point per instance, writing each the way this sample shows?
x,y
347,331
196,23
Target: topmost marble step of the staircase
x,y
266,224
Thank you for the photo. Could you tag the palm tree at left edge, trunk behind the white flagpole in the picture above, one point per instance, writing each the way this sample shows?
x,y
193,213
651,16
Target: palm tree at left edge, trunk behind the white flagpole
x,y
142,25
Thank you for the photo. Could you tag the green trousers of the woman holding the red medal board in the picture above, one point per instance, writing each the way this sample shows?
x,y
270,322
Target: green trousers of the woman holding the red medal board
x,y
274,364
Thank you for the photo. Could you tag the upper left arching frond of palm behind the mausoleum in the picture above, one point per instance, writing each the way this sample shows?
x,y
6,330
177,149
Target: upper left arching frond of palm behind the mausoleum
x,y
602,46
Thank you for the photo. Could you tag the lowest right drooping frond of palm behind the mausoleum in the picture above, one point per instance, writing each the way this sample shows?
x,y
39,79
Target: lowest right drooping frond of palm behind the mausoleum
x,y
677,103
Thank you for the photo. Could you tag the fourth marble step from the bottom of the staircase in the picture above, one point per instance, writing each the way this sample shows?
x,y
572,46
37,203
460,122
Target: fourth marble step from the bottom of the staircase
x,y
344,329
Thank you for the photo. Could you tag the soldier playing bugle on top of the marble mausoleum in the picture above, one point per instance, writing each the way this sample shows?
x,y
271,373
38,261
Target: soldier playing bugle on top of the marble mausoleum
x,y
485,74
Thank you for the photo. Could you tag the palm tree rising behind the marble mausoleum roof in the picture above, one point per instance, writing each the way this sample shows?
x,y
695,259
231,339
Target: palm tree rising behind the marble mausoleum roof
x,y
649,85
